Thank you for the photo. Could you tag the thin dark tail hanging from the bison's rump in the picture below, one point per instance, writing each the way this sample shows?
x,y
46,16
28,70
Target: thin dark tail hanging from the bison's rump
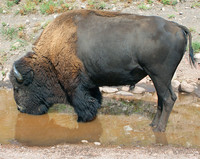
x,y
191,54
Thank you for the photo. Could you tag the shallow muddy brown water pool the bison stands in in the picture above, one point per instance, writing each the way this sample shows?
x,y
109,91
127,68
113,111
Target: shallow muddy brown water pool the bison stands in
x,y
121,127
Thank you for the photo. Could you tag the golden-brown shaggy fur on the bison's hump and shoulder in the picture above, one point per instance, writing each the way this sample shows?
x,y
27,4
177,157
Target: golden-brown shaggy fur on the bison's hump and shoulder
x,y
58,44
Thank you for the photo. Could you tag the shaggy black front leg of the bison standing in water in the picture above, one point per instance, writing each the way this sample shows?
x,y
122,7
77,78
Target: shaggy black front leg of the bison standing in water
x,y
85,104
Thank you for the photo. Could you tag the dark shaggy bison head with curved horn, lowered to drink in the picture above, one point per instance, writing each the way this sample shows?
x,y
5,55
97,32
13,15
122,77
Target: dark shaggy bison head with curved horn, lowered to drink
x,y
35,84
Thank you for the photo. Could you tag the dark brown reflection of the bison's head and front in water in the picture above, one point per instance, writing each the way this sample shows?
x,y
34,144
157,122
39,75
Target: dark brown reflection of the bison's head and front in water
x,y
54,129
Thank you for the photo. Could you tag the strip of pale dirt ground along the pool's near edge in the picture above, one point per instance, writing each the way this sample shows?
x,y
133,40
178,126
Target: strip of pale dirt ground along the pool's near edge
x,y
98,152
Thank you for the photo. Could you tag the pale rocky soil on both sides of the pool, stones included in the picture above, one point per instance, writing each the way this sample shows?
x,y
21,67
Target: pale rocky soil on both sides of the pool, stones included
x,y
186,77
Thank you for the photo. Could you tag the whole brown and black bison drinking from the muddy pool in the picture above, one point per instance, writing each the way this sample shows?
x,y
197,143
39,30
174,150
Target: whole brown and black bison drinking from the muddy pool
x,y
84,49
